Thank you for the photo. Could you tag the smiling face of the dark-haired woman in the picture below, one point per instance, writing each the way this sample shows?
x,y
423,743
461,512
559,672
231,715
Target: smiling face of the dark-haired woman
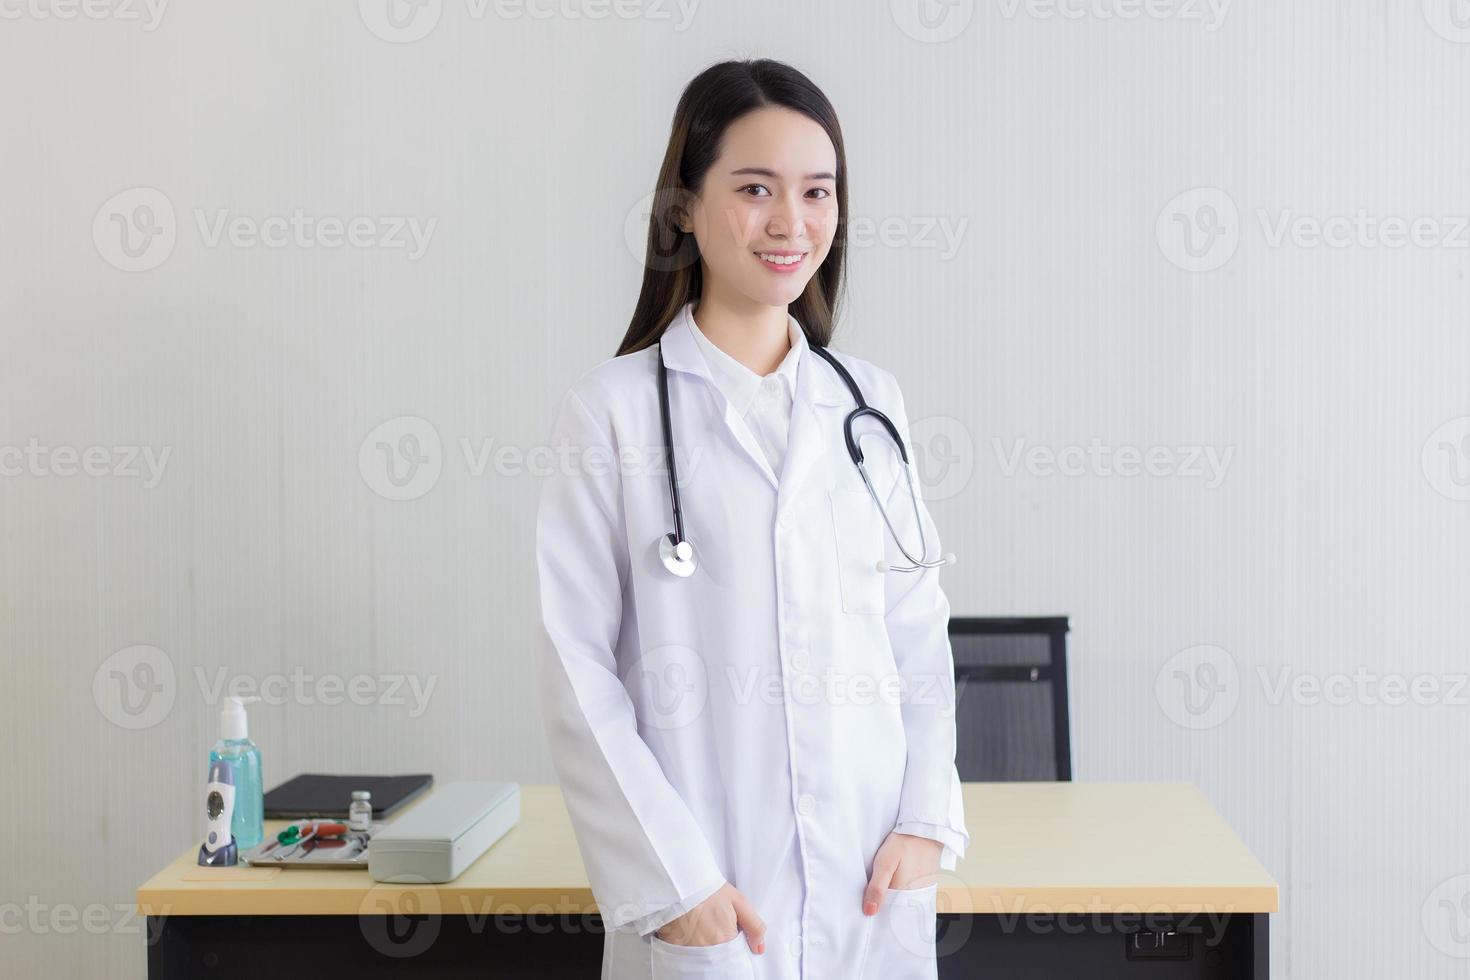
x,y
768,211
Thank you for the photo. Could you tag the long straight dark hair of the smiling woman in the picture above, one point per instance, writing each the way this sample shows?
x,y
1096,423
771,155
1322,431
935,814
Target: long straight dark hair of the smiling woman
x,y
711,104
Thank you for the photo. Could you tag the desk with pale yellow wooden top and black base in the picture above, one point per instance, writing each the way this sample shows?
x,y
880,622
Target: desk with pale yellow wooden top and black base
x,y
1058,876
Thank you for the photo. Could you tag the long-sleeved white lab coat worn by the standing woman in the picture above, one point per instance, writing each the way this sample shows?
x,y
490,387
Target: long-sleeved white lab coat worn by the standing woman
x,y
768,721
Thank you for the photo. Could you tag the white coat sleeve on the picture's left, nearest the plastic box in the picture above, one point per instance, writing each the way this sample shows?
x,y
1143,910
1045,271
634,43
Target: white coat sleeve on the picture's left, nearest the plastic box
x,y
646,857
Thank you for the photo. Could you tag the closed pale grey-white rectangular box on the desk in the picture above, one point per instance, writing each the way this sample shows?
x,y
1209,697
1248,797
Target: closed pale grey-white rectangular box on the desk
x,y
443,835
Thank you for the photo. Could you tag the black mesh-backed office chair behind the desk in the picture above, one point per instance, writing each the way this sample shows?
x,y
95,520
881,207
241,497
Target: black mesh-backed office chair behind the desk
x,y
1011,685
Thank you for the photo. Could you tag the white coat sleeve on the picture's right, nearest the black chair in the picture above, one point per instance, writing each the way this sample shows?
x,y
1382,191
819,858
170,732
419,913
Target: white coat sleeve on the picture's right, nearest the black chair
x,y
918,619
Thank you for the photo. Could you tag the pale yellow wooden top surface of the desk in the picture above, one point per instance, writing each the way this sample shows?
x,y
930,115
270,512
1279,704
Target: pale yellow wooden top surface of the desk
x,y
1034,849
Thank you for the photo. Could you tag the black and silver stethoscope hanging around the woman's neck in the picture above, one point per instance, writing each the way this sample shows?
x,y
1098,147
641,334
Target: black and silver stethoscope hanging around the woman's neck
x,y
678,555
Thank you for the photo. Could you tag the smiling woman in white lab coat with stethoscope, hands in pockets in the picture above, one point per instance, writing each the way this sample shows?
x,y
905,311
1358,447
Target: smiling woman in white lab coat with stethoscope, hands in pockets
x,y
749,691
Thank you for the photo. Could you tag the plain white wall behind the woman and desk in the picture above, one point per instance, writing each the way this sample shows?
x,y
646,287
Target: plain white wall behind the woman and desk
x,y
1050,143
